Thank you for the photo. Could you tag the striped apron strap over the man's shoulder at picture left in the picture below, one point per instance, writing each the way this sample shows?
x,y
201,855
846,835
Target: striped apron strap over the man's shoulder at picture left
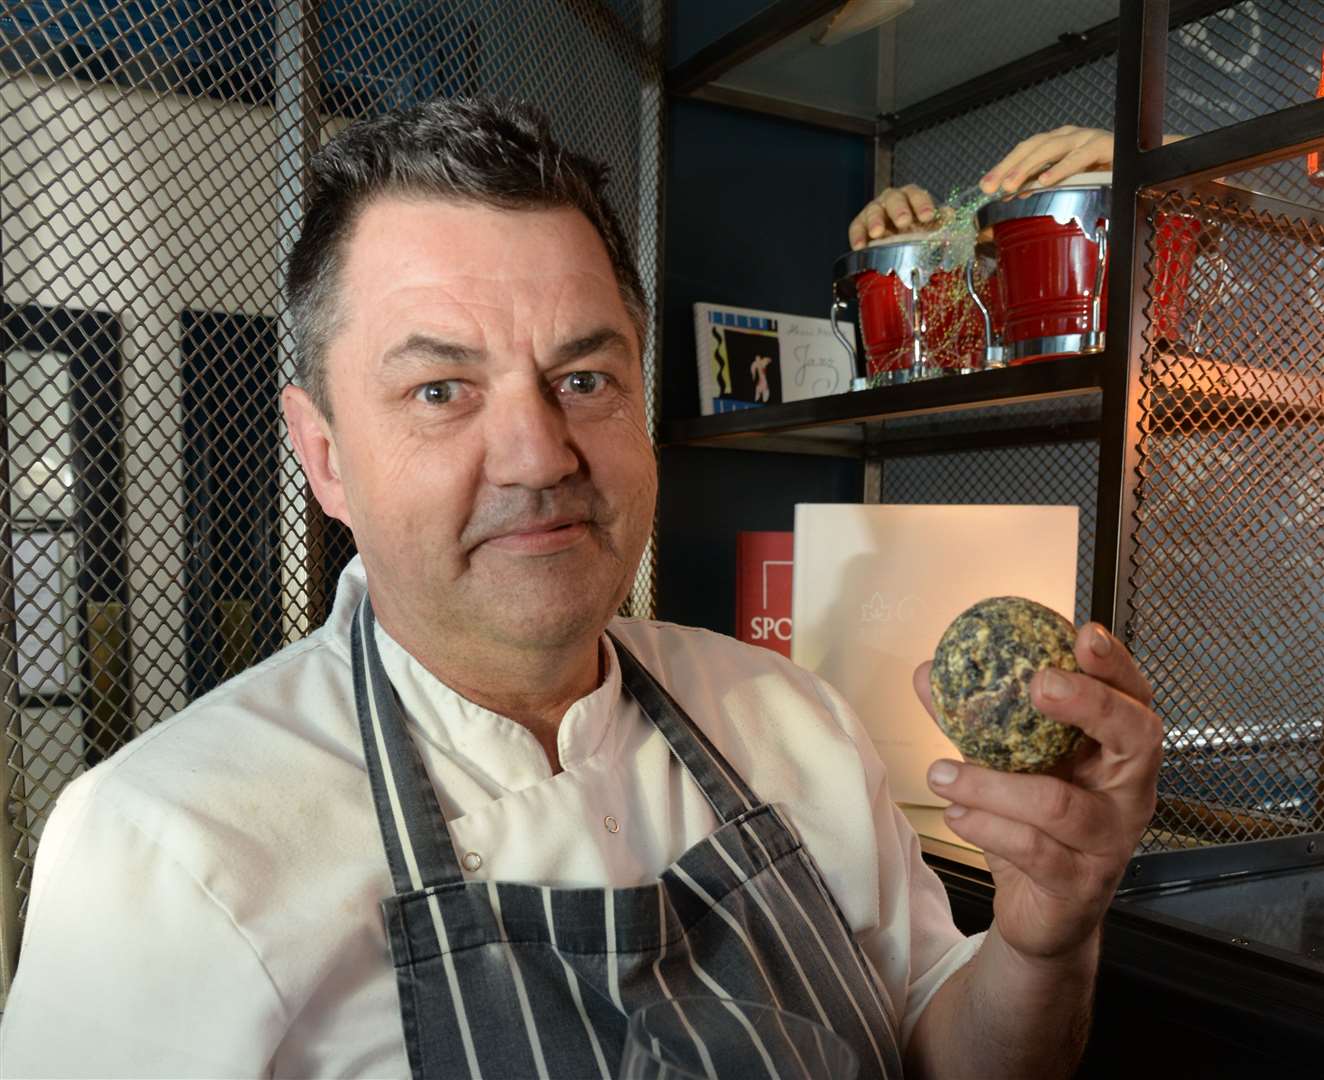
x,y
414,831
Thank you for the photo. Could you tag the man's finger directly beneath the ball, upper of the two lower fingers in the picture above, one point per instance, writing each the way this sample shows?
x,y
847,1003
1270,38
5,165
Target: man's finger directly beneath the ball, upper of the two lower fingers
x,y
1069,815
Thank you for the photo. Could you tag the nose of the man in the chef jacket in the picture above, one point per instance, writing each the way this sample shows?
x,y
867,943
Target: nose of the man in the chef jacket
x,y
529,440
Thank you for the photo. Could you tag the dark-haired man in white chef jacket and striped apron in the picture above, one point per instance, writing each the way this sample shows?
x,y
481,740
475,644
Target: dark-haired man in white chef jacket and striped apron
x,y
299,876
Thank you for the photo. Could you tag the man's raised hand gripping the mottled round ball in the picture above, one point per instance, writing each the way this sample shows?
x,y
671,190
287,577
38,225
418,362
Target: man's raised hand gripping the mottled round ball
x,y
1059,845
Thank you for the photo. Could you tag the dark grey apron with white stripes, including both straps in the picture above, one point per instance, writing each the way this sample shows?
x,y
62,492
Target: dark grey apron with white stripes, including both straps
x,y
508,980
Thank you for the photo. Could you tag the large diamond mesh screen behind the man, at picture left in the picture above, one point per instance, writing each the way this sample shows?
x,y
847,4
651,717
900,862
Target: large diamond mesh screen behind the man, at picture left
x,y
157,535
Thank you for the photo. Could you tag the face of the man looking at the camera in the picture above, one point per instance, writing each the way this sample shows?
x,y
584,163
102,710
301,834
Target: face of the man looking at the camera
x,y
489,439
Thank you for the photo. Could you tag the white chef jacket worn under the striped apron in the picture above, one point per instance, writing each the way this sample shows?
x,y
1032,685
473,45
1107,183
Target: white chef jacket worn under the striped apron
x,y
206,902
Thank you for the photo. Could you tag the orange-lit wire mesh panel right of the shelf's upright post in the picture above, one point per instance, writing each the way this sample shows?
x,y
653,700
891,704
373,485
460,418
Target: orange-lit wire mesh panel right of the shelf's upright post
x,y
1228,571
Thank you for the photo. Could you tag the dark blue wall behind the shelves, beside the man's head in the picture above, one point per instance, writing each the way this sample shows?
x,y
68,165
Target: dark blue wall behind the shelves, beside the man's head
x,y
757,212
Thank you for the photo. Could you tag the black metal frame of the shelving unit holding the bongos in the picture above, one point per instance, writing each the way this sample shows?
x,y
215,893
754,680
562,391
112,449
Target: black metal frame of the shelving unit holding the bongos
x,y
857,424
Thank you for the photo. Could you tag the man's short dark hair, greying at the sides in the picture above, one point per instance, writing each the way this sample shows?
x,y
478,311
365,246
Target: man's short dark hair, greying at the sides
x,y
488,152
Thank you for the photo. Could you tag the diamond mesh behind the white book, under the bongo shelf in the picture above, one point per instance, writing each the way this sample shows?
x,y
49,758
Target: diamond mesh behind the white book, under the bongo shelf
x,y
1053,474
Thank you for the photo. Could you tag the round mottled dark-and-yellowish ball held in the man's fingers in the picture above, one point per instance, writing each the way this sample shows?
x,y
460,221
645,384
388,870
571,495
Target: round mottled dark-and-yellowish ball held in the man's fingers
x,y
982,684
